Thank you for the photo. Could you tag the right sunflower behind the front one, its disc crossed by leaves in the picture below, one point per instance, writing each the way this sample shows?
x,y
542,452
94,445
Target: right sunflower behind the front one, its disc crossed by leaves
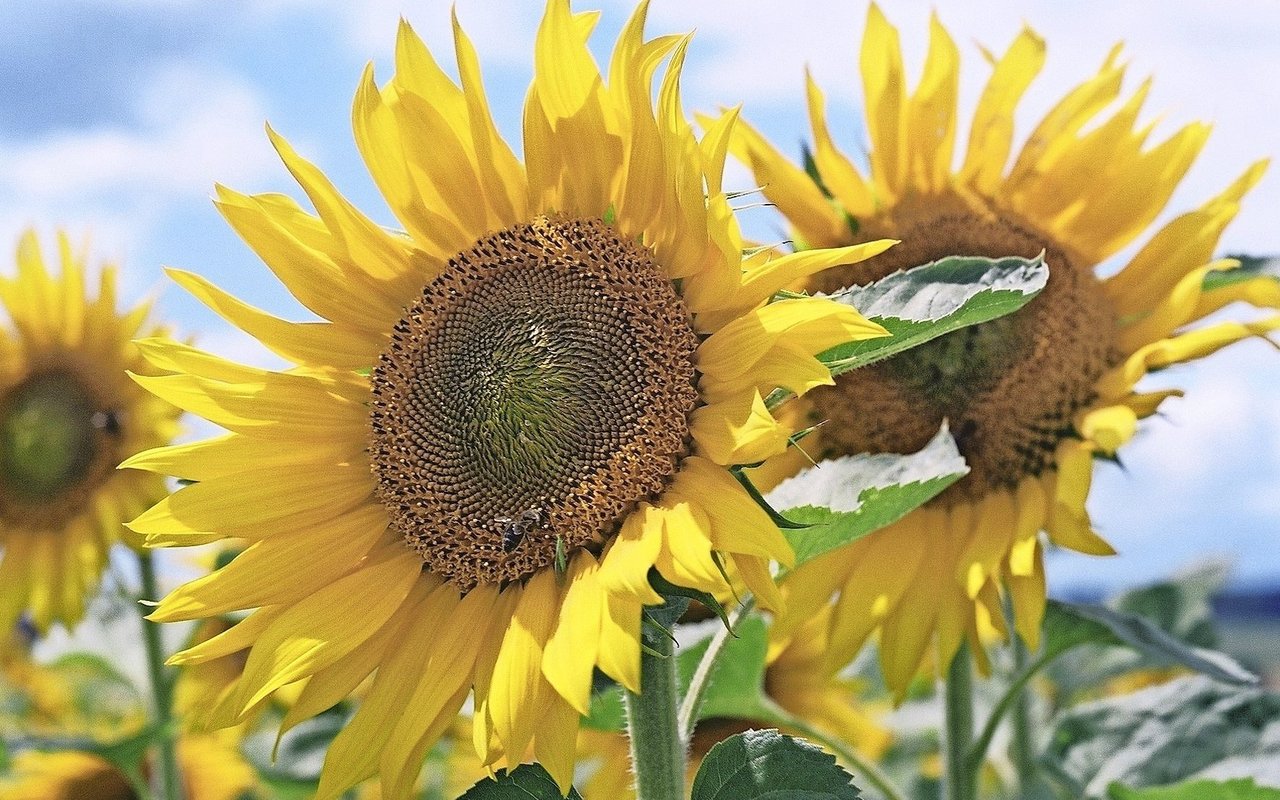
x,y
1032,399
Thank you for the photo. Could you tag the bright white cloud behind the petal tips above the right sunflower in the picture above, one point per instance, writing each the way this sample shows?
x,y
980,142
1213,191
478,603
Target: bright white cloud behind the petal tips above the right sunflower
x,y
1212,62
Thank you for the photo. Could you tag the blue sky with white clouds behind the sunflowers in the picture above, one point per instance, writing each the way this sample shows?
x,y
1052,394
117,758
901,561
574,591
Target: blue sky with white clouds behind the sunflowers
x,y
117,118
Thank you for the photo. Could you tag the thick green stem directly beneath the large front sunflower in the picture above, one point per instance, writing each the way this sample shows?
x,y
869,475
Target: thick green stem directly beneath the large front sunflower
x,y
657,749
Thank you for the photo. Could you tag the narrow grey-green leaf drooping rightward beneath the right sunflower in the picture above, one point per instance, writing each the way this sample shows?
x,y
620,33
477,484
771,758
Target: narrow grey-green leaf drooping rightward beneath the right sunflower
x,y
1068,625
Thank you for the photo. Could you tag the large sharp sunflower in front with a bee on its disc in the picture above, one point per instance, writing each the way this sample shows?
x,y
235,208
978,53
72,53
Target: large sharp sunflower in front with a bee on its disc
x,y
508,418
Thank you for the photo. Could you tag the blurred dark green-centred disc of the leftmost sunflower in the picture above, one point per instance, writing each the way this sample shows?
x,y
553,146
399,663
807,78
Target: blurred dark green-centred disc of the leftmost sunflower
x,y
48,438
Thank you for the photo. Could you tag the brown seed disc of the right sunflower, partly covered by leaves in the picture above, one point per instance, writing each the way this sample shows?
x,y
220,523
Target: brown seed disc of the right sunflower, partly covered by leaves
x,y
1009,388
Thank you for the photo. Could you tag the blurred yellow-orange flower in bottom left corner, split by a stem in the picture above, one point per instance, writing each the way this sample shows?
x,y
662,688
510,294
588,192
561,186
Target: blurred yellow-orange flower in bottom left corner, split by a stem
x,y
212,770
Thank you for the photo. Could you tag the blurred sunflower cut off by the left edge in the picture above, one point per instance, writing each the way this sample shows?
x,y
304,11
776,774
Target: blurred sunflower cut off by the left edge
x,y
68,415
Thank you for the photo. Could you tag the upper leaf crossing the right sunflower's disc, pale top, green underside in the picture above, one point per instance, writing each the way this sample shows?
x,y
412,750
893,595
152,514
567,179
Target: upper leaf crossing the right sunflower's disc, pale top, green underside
x,y
930,301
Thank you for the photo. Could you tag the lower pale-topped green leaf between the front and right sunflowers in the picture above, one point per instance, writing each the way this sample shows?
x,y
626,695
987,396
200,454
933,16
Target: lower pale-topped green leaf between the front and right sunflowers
x,y
847,499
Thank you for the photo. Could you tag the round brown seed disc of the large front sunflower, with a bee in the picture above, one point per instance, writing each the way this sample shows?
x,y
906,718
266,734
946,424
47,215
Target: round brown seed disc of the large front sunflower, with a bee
x,y
529,399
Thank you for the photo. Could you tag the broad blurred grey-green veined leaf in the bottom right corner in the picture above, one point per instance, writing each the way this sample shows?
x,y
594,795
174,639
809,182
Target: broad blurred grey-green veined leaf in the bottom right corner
x,y
1187,729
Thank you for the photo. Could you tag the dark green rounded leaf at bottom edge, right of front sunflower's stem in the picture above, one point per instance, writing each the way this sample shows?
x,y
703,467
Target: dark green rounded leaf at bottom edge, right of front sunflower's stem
x,y
760,765
